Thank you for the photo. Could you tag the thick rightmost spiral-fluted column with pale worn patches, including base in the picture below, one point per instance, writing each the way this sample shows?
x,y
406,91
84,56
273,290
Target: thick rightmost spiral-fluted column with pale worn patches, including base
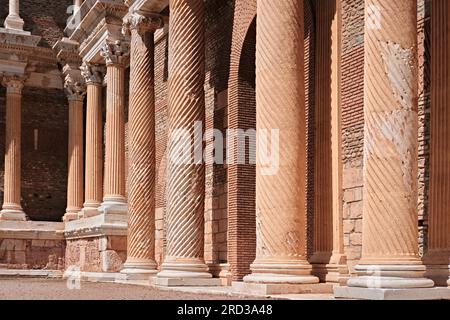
x,y
390,228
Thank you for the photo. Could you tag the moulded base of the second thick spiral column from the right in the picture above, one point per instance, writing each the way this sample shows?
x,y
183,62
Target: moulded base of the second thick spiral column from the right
x,y
289,272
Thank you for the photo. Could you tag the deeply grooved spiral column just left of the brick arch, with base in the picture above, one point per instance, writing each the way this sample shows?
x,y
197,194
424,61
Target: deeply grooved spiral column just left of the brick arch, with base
x,y
186,181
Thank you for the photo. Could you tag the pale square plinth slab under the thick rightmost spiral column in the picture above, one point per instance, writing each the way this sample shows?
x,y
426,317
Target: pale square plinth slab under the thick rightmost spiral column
x,y
391,294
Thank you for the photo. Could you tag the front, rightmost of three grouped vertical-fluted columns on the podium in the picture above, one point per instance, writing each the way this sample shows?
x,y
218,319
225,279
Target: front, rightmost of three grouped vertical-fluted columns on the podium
x,y
116,57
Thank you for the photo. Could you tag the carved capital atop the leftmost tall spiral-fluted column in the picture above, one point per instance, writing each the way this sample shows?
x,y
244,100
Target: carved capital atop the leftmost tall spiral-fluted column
x,y
142,22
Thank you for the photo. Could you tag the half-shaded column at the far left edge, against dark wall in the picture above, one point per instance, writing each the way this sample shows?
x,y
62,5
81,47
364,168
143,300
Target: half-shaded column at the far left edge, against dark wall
x,y
12,209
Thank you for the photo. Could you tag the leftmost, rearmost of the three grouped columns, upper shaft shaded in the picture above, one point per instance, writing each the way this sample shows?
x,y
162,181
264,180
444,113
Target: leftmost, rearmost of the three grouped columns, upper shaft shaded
x,y
75,91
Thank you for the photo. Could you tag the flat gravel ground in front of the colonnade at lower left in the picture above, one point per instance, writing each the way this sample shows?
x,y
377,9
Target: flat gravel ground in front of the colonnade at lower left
x,y
51,289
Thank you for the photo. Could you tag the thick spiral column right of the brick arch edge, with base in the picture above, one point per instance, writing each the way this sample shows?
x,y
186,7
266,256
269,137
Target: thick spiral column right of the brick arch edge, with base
x,y
280,108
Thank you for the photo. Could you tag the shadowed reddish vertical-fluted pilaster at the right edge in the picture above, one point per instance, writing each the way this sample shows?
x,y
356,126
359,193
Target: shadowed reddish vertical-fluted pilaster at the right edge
x,y
438,251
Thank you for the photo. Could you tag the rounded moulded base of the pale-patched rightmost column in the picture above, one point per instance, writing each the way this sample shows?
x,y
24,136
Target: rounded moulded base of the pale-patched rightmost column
x,y
390,277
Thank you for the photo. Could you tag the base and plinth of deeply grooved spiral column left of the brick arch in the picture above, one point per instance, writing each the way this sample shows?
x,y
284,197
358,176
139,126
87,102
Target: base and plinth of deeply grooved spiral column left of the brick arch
x,y
185,274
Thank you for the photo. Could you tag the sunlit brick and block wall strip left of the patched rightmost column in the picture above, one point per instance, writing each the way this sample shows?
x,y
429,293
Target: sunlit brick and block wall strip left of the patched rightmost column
x,y
352,125
